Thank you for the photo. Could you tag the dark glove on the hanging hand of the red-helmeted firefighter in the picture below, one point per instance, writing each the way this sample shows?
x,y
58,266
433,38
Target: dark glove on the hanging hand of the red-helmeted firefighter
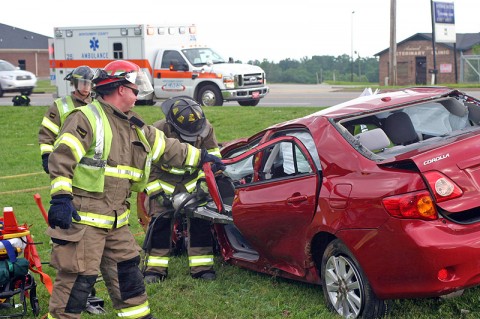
x,y
61,212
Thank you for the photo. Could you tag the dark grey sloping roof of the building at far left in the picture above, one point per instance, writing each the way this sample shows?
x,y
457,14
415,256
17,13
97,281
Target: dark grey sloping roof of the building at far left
x,y
15,38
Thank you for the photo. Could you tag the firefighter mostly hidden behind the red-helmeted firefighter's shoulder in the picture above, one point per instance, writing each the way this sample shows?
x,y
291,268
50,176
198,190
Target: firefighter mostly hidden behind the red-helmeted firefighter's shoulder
x,y
81,80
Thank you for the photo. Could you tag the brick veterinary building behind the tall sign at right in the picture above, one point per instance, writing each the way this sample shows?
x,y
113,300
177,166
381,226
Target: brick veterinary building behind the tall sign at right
x,y
415,59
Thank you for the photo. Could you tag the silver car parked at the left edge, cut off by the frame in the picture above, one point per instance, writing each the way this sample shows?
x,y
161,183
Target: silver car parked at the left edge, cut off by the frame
x,y
12,79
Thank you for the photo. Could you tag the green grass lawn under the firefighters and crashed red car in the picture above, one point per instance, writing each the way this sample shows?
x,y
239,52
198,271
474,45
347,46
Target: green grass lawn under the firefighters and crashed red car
x,y
237,293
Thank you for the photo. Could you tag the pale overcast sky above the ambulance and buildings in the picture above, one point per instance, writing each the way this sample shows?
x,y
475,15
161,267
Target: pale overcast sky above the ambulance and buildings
x,y
253,29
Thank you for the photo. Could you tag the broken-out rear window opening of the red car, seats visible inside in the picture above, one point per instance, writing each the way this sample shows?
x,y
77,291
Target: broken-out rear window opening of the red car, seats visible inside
x,y
397,131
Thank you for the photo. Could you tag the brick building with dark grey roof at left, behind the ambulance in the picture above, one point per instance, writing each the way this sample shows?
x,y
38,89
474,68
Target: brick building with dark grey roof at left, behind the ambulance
x,y
25,49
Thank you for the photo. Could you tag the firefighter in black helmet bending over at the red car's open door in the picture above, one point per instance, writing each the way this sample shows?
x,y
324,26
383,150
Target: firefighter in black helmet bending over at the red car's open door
x,y
185,121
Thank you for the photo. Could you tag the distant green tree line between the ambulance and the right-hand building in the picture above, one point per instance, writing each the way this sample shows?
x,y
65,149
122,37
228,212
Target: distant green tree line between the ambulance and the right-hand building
x,y
318,69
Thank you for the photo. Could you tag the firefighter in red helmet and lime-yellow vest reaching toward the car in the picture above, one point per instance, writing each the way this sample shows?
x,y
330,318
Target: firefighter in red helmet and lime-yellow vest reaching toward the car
x,y
104,152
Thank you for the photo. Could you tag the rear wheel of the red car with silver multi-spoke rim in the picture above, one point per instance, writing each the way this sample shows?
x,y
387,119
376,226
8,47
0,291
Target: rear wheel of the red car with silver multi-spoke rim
x,y
345,287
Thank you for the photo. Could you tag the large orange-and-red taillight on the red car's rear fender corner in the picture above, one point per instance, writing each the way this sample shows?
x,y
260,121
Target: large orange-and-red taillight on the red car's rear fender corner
x,y
417,205
